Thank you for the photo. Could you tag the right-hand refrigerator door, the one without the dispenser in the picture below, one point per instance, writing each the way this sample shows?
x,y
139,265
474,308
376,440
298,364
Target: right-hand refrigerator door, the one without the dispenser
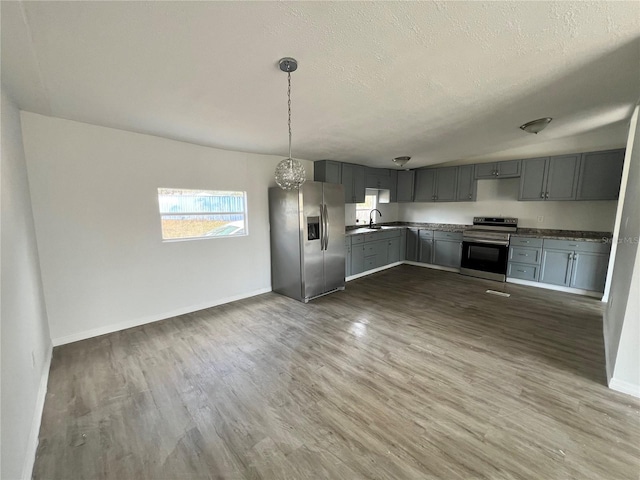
x,y
334,240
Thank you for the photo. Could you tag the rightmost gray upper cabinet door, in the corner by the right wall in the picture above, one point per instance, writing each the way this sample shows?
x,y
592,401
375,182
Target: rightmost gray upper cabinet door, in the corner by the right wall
x,y
600,175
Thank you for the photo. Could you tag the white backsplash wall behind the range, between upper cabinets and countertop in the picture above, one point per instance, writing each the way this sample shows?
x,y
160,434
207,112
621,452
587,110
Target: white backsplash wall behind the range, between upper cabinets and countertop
x,y
500,198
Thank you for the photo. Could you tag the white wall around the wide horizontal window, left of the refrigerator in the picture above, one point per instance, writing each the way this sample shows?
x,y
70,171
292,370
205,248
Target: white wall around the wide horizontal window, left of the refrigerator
x,y
104,265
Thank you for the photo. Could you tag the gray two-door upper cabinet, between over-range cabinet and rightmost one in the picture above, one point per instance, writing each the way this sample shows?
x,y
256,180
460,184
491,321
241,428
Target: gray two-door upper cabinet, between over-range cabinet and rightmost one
x,y
549,178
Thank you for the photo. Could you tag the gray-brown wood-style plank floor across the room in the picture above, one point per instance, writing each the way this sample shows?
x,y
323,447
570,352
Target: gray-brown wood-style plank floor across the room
x,y
410,373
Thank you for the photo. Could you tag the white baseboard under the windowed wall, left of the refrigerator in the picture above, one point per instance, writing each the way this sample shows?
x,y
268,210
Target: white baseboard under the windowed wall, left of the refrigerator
x,y
116,327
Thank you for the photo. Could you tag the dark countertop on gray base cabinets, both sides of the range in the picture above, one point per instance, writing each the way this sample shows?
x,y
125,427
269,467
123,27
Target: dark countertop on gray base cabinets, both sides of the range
x,y
576,235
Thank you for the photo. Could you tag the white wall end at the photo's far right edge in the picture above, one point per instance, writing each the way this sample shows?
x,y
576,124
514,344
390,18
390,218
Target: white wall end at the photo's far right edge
x,y
622,314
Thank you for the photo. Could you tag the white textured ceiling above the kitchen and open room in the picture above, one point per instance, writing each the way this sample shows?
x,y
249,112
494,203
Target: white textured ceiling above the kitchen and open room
x,y
440,81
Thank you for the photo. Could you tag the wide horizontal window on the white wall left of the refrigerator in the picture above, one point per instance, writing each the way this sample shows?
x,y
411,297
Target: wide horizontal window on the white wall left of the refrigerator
x,y
188,214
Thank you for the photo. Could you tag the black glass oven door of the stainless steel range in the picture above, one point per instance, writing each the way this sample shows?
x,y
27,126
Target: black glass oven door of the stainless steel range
x,y
487,258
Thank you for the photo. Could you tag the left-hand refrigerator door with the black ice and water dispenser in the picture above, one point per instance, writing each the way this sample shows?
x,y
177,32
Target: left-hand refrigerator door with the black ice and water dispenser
x,y
313,240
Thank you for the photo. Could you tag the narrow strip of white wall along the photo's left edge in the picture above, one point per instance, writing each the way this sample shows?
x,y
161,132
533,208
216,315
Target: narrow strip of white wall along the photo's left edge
x,y
26,344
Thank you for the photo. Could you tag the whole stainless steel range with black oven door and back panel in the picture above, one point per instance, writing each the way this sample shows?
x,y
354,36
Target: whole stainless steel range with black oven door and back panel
x,y
485,247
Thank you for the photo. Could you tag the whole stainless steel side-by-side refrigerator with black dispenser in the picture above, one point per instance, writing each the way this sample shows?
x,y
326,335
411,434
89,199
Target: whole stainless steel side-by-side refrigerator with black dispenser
x,y
307,240
